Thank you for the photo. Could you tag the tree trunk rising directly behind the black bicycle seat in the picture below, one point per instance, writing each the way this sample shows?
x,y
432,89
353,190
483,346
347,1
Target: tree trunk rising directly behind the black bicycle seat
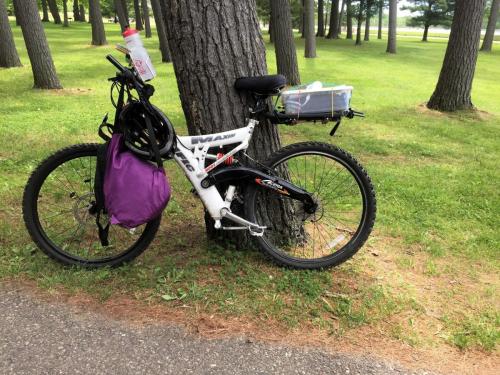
x,y
286,54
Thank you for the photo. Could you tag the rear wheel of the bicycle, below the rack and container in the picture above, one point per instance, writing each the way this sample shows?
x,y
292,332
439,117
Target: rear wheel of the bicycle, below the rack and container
x,y
338,227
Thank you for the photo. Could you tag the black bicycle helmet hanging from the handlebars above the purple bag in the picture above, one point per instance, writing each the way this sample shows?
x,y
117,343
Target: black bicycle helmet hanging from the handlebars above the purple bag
x,y
135,131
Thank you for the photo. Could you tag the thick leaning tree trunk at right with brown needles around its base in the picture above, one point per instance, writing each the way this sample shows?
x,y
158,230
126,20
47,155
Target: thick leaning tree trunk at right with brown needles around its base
x,y
453,90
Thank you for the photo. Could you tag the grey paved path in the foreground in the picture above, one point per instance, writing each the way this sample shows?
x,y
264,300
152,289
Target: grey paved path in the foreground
x,y
49,338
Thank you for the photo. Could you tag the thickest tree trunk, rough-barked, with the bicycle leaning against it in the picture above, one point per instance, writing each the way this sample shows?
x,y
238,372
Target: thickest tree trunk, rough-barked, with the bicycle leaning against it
x,y
206,74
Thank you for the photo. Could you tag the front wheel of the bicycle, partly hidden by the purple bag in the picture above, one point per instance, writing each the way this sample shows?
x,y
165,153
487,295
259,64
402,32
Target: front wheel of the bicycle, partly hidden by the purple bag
x,y
57,210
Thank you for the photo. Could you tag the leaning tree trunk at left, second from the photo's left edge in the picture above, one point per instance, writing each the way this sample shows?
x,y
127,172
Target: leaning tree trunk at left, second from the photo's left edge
x,y
44,71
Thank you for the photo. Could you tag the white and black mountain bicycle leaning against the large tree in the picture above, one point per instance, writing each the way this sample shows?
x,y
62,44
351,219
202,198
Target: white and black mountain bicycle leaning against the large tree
x,y
311,205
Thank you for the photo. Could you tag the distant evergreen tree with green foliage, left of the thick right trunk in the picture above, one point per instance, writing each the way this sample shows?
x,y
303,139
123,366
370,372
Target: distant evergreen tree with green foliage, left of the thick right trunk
x,y
430,13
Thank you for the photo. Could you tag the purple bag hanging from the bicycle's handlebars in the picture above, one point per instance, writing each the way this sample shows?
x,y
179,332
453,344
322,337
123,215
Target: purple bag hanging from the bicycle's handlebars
x,y
135,191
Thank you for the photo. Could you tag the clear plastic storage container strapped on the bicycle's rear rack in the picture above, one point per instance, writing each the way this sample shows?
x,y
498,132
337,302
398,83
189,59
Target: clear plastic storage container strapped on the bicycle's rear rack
x,y
316,99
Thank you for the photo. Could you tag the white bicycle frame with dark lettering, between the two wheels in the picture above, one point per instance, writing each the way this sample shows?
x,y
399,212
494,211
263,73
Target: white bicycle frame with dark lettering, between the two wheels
x,y
190,155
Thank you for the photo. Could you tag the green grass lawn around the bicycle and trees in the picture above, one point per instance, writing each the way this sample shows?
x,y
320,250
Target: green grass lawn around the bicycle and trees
x,y
428,276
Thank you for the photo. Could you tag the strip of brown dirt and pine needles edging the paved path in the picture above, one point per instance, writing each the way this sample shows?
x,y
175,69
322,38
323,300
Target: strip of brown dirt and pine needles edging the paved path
x,y
367,341
